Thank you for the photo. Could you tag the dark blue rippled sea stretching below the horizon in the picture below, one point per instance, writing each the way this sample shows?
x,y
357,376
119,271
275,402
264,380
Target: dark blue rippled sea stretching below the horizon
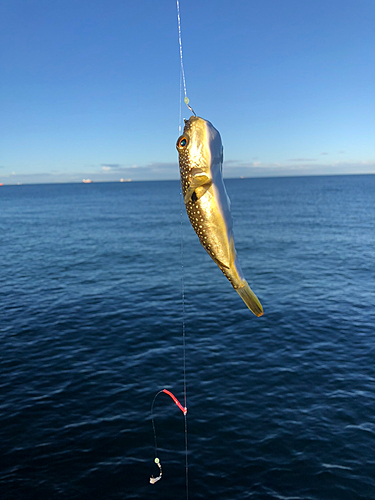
x,y
91,320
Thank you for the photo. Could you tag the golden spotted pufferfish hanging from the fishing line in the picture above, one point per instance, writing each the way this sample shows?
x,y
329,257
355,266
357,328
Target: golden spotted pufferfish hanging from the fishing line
x,y
207,204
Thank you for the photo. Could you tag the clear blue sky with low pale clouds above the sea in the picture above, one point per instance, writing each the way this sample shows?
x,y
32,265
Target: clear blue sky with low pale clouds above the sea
x,y
91,89
